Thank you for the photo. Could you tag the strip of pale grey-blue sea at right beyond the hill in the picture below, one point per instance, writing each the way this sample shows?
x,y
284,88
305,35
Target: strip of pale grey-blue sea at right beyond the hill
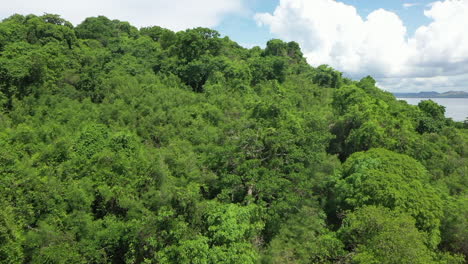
x,y
456,108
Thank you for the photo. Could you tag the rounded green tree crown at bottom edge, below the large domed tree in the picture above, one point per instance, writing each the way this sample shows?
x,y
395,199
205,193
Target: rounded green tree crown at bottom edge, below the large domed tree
x,y
378,235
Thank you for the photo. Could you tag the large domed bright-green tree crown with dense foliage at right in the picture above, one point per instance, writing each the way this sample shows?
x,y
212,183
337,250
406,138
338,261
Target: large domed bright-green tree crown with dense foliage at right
x,y
381,177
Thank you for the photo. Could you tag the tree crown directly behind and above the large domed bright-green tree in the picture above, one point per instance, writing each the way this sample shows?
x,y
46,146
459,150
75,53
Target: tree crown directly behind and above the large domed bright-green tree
x,y
370,118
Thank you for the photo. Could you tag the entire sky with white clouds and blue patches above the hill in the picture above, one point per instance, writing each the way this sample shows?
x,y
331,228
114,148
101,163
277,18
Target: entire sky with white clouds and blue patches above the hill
x,y
407,45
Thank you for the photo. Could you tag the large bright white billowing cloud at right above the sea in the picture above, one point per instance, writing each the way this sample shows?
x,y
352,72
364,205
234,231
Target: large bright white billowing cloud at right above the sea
x,y
333,33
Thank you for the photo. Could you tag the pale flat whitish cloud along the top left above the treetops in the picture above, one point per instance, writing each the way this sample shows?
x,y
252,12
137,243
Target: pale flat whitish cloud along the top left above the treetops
x,y
175,14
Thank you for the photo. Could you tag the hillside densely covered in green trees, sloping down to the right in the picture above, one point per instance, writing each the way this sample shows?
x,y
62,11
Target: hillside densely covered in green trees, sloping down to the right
x,y
126,145
